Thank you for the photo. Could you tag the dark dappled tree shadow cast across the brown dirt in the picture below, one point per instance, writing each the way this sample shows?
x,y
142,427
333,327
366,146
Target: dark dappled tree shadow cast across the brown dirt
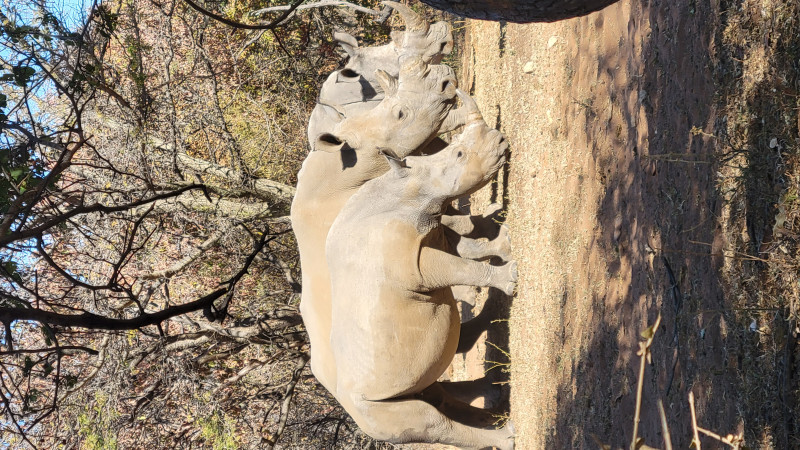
x,y
649,120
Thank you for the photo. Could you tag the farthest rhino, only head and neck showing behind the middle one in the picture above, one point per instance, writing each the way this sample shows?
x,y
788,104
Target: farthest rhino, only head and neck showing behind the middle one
x,y
355,88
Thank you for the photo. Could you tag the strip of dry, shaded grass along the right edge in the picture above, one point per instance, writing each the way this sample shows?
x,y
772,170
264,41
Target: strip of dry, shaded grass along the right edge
x,y
759,175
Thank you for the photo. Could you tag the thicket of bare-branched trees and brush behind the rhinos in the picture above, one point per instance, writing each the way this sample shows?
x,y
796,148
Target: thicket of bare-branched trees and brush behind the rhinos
x,y
148,279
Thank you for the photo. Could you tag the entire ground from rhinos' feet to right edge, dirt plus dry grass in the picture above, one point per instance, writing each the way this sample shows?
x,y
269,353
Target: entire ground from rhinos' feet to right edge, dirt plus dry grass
x,y
655,170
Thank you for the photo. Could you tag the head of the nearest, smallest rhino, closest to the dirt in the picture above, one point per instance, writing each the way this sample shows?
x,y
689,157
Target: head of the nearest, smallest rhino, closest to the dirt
x,y
467,164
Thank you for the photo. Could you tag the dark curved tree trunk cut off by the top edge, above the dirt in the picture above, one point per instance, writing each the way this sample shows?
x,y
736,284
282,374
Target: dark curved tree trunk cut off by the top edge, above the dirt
x,y
519,10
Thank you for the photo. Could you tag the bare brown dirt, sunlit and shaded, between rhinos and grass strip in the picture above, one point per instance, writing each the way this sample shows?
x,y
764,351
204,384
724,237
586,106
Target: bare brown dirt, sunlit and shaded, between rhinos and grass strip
x,y
611,201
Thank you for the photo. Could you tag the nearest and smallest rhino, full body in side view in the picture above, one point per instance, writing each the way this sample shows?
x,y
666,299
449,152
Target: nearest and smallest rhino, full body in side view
x,y
395,322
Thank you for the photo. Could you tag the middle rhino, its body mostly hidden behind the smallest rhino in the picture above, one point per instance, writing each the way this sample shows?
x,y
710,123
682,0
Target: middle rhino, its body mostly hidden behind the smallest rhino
x,y
415,106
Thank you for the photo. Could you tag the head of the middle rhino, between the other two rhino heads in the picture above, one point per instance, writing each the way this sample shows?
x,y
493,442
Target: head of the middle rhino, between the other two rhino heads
x,y
409,116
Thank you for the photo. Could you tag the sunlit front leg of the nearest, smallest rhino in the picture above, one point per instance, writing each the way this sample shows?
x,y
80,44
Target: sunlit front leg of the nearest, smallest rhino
x,y
440,269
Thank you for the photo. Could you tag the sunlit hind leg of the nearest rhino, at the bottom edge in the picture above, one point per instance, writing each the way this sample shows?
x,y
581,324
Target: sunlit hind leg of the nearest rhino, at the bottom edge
x,y
409,420
